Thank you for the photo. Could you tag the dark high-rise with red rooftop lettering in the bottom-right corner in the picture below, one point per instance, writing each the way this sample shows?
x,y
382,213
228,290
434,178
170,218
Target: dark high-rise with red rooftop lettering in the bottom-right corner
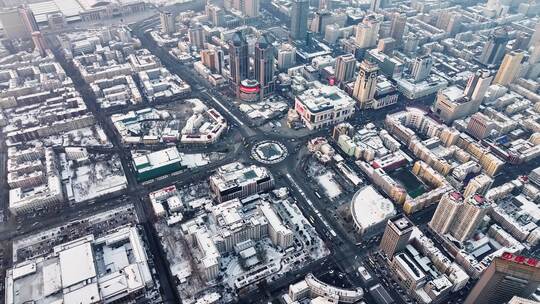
x,y
507,276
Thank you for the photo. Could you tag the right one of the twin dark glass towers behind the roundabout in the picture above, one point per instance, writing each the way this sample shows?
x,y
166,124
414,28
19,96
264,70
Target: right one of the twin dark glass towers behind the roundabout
x,y
264,64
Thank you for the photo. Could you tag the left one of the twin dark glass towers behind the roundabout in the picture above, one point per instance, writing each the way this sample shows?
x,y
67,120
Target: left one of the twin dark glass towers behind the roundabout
x,y
238,59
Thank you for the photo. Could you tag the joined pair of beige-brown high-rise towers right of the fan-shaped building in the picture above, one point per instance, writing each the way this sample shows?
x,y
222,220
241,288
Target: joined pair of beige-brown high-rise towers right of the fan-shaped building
x,y
459,217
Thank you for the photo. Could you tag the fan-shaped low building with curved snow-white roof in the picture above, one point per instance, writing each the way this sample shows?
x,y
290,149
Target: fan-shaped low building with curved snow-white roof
x,y
370,211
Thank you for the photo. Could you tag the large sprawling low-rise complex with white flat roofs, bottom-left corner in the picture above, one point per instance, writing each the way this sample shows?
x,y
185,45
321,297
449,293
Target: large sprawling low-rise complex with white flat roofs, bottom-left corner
x,y
109,269
